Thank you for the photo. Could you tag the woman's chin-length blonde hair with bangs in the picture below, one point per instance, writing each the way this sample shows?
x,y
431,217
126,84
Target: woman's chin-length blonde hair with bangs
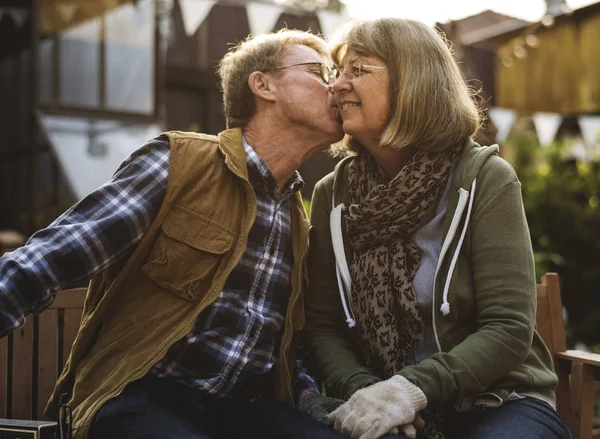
x,y
431,106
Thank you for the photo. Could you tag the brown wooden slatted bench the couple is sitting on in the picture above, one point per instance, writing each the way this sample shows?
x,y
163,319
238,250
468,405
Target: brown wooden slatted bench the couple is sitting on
x,y
32,358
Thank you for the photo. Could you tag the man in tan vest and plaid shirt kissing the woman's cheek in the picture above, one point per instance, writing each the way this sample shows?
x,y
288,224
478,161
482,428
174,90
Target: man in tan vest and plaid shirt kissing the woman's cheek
x,y
196,251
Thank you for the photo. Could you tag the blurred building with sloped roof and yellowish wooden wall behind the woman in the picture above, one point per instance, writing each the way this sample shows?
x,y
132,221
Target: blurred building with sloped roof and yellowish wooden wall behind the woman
x,y
548,66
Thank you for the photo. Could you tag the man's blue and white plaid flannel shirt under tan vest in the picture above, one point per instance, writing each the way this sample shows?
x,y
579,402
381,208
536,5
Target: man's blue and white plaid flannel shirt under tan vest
x,y
234,343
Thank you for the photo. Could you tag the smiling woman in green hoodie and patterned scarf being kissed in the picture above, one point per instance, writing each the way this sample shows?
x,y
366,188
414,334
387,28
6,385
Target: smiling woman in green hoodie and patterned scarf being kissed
x,y
422,285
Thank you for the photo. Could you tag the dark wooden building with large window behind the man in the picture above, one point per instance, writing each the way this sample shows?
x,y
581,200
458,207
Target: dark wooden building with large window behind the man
x,y
83,83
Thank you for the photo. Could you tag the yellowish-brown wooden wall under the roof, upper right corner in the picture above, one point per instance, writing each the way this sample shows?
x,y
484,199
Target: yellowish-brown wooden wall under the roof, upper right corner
x,y
561,75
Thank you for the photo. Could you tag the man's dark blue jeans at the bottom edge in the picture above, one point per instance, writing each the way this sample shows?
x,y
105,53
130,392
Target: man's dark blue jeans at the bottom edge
x,y
156,409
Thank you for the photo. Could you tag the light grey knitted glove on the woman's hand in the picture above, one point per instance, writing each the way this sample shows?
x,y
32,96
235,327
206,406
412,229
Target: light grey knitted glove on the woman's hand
x,y
375,410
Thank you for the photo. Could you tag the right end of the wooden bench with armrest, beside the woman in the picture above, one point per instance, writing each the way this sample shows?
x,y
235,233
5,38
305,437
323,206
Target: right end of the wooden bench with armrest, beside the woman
x,y
577,371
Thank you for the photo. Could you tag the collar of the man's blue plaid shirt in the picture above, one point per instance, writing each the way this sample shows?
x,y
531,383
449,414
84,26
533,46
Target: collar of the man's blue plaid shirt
x,y
262,179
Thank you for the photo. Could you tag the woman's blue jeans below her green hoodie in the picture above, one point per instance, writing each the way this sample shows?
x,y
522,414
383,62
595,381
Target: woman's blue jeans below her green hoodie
x,y
527,418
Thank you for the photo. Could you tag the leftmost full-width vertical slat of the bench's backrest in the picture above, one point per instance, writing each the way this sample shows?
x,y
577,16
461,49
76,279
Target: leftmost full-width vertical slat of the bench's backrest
x,y
22,371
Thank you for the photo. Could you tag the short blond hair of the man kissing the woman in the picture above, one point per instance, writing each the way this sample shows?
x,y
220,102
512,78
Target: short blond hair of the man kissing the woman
x,y
262,54
